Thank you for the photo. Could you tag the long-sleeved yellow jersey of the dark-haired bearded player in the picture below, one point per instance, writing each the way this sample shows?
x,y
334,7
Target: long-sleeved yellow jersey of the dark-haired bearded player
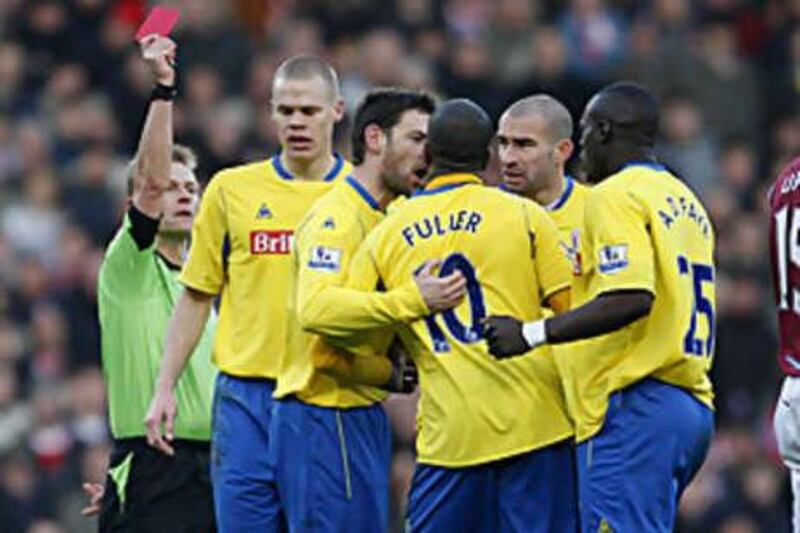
x,y
324,245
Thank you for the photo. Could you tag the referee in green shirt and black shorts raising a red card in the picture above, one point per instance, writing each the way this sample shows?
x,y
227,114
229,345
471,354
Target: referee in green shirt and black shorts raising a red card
x,y
137,290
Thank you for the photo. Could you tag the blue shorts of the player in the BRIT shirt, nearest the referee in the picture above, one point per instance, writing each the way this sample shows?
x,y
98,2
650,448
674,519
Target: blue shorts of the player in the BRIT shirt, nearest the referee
x,y
245,495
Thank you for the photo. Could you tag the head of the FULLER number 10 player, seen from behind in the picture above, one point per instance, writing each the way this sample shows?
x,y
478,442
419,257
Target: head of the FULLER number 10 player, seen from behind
x,y
459,133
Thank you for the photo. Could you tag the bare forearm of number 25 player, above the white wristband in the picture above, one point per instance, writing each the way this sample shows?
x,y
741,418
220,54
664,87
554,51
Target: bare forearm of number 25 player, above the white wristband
x,y
606,313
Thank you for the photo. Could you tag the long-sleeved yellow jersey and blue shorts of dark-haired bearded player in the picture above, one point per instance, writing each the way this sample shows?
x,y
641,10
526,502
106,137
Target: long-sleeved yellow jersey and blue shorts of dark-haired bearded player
x,y
331,439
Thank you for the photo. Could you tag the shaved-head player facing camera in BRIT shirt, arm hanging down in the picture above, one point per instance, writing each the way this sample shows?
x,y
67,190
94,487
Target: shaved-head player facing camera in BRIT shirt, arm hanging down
x,y
241,244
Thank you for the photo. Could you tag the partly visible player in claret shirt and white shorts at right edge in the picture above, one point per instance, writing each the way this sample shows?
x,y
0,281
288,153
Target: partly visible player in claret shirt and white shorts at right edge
x,y
784,202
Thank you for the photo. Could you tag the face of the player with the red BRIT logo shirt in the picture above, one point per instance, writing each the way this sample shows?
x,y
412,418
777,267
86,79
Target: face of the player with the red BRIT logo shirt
x,y
305,111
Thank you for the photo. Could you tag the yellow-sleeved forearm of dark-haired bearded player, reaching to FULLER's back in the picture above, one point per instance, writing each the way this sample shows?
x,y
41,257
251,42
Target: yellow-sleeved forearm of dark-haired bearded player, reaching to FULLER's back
x,y
338,312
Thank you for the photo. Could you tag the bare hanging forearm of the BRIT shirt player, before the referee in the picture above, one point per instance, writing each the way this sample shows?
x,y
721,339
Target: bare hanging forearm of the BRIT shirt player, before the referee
x,y
185,328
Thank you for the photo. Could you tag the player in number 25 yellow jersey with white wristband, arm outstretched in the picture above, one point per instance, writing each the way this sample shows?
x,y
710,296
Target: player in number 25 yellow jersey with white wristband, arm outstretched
x,y
643,404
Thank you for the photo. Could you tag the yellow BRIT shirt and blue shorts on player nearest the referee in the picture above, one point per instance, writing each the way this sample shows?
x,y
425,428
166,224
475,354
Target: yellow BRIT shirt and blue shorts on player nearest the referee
x,y
241,249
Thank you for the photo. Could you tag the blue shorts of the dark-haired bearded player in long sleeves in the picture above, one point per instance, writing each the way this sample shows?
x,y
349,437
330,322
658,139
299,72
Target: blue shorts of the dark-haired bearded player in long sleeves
x,y
332,466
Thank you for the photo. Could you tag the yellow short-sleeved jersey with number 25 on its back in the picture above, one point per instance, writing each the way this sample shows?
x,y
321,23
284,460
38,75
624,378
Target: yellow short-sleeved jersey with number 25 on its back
x,y
646,230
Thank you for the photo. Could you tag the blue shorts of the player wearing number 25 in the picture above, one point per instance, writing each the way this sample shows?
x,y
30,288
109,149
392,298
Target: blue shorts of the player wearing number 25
x,y
632,473
